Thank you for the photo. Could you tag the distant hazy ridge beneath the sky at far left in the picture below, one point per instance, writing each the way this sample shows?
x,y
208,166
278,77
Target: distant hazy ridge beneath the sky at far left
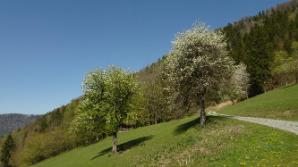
x,y
11,122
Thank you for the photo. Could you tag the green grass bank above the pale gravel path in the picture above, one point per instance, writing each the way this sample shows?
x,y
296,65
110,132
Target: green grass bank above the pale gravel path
x,y
280,103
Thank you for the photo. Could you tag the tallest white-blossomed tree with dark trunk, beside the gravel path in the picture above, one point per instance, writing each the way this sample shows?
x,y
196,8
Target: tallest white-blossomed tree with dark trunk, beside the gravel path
x,y
198,62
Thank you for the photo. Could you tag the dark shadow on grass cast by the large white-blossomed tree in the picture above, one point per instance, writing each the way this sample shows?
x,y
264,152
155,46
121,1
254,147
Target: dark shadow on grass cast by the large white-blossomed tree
x,y
196,122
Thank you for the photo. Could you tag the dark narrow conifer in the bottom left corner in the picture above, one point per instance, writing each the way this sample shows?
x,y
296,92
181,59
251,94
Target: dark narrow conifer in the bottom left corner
x,y
6,151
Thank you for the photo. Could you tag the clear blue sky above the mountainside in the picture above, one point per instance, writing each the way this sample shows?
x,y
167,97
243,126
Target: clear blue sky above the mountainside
x,y
46,47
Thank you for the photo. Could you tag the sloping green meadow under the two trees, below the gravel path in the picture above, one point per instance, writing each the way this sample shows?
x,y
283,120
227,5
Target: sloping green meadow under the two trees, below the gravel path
x,y
223,142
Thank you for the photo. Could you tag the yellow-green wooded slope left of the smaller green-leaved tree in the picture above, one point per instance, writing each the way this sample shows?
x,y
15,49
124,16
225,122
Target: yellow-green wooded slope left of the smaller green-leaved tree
x,y
45,137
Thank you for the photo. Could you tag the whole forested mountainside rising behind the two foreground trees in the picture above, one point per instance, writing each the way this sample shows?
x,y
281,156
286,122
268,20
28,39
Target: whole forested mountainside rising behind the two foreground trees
x,y
266,43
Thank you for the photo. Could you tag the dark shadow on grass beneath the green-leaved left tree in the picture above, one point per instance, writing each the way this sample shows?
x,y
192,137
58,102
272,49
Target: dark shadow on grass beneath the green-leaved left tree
x,y
124,146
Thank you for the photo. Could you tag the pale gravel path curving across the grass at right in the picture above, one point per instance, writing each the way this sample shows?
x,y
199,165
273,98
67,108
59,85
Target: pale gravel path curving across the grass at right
x,y
290,126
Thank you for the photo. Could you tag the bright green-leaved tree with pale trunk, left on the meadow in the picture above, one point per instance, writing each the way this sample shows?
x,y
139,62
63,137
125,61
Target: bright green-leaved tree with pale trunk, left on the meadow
x,y
107,98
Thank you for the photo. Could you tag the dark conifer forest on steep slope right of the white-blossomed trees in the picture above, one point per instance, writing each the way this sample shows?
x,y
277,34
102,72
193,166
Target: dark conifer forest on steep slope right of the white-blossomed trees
x,y
268,44
